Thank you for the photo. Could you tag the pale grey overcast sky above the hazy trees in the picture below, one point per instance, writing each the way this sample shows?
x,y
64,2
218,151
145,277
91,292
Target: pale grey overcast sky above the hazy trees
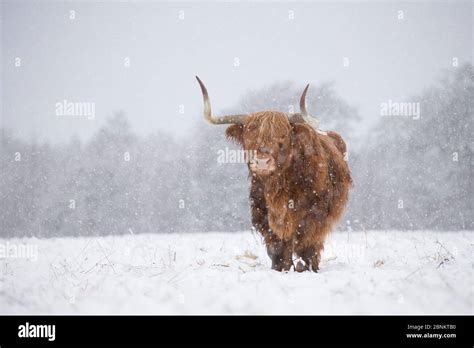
x,y
82,60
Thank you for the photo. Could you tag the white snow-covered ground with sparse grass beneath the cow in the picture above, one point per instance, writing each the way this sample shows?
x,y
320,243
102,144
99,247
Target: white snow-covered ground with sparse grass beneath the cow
x,y
361,273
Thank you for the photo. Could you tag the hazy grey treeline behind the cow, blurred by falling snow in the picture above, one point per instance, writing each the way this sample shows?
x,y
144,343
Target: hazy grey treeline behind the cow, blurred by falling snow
x,y
412,171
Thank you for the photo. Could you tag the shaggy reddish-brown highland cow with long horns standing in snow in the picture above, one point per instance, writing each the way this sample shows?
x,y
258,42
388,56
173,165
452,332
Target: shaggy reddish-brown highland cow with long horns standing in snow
x,y
300,180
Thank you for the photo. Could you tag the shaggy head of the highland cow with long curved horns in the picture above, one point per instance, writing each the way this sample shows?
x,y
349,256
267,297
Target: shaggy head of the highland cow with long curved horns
x,y
267,134
